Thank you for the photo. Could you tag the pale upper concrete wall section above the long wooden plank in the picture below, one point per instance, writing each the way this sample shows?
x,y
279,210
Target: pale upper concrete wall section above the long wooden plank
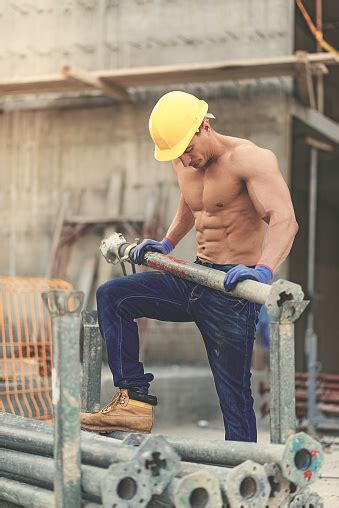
x,y
40,36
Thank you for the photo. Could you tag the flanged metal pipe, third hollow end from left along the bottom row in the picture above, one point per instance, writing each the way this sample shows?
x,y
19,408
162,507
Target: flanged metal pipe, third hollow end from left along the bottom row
x,y
244,485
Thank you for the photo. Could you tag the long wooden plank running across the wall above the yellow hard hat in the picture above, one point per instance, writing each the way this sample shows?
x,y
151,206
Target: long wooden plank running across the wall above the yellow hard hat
x,y
165,74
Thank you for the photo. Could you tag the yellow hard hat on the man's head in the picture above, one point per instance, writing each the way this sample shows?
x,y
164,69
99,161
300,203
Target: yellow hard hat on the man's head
x,y
175,119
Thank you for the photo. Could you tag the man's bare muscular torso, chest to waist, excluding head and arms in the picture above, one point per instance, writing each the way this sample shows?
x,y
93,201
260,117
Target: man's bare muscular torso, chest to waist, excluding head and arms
x,y
228,228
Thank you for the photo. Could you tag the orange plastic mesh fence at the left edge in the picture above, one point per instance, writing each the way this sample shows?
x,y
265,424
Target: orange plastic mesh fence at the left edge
x,y
26,346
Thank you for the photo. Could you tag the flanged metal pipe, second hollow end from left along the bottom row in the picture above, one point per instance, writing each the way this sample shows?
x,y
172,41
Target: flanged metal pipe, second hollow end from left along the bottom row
x,y
199,489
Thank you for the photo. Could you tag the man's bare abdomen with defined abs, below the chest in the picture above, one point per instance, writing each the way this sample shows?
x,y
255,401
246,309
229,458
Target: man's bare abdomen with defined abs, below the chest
x,y
227,237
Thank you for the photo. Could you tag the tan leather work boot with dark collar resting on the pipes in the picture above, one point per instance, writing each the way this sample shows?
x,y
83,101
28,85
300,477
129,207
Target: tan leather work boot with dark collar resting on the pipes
x,y
128,411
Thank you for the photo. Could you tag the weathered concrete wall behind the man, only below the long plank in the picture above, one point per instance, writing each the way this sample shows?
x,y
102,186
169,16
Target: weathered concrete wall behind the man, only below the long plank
x,y
46,153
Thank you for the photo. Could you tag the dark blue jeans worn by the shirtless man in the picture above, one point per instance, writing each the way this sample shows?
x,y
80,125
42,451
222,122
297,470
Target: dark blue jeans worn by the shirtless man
x,y
227,325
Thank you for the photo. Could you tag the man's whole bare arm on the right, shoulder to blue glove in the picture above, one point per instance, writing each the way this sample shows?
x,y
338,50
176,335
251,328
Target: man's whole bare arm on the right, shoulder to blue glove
x,y
271,198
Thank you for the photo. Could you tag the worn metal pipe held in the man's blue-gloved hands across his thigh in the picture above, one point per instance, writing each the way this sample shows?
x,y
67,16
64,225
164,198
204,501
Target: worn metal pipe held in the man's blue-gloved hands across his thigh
x,y
116,248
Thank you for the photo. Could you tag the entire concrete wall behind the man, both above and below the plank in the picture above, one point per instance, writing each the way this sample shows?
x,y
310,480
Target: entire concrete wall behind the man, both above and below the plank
x,y
45,153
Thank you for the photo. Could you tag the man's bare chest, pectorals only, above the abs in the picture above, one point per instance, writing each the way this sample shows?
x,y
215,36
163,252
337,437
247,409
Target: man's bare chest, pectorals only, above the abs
x,y
209,190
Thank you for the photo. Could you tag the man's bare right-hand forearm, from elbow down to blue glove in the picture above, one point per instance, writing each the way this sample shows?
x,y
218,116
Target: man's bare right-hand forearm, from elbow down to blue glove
x,y
278,242
